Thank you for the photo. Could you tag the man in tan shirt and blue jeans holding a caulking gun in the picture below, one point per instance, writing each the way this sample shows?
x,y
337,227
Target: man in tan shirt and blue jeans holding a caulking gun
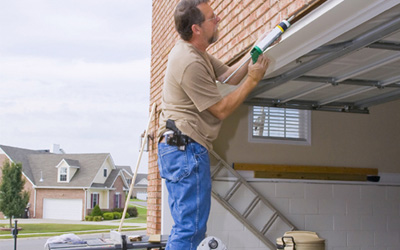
x,y
192,113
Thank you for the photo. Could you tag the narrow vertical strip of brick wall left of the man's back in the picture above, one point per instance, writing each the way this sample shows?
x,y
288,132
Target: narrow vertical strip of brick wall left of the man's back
x,y
163,39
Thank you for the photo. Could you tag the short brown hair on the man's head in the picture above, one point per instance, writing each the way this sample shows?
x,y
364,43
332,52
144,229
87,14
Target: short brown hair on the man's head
x,y
186,14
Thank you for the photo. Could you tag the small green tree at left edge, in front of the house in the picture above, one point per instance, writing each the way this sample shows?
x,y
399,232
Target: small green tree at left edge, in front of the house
x,y
13,199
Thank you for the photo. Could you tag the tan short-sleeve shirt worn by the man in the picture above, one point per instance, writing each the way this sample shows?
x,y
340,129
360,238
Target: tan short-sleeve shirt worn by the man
x,y
189,90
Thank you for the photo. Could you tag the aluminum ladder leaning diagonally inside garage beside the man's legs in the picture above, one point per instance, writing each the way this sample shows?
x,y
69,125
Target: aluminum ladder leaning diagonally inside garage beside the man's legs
x,y
253,210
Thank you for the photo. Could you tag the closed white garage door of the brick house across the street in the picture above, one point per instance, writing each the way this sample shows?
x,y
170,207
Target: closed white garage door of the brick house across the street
x,y
63,209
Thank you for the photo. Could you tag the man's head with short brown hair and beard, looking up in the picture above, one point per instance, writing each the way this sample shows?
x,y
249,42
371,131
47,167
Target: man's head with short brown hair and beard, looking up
x,y
194,12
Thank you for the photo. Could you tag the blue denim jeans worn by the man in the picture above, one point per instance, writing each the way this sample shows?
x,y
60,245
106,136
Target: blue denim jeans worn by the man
x,y
188,180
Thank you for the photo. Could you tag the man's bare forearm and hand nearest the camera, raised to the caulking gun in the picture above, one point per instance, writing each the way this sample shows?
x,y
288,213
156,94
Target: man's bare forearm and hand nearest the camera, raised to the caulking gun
x,y
229,103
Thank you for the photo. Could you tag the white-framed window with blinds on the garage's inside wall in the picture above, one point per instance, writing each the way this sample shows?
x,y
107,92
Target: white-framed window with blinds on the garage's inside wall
x,y
280,125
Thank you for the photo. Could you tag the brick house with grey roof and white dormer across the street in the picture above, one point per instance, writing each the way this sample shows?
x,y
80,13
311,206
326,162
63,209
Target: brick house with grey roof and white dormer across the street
x,y
68,186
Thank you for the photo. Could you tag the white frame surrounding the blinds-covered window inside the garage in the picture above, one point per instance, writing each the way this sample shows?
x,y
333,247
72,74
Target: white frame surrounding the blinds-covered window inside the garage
x,y
282,140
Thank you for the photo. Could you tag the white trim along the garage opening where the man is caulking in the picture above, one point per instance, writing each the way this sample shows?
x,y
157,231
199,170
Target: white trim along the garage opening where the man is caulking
x,y
327,22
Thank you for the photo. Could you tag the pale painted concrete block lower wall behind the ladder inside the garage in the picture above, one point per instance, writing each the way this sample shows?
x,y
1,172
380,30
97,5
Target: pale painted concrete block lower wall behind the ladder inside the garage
x,y
348,216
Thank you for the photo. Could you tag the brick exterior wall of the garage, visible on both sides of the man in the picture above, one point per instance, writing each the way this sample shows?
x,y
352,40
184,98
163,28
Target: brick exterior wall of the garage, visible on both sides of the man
x,y
242,22
